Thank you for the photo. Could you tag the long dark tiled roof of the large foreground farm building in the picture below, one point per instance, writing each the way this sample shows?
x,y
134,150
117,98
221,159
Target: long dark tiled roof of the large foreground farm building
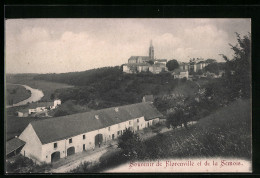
x,y
54,129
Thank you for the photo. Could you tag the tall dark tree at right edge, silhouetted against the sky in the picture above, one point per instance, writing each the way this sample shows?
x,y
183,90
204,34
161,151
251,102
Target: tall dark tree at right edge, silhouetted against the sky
x,y
237,74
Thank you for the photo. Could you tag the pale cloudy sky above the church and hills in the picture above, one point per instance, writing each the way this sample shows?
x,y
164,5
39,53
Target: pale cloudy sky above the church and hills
x,y
68,45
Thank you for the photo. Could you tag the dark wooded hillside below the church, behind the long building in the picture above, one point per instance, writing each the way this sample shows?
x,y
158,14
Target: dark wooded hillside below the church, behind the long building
x,y
109,86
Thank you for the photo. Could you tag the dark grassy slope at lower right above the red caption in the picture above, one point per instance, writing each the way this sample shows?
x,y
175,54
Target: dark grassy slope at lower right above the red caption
x,y
225,133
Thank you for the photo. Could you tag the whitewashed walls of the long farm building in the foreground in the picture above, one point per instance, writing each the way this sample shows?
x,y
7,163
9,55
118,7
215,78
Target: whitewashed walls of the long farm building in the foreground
x,y
43,152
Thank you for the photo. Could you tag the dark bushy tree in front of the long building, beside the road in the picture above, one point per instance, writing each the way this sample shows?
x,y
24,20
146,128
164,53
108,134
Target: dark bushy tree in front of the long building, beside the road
x,y
131,145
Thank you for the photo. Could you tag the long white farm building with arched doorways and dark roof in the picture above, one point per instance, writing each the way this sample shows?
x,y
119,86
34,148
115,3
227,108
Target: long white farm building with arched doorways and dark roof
x,y
51,139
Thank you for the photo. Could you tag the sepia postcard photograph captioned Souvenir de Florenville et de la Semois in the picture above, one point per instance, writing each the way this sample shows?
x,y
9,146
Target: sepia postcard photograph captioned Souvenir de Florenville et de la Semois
x,y
128,95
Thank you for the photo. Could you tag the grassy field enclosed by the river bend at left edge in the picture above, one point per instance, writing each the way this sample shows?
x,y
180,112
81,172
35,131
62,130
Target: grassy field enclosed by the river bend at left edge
x,y
16,93
